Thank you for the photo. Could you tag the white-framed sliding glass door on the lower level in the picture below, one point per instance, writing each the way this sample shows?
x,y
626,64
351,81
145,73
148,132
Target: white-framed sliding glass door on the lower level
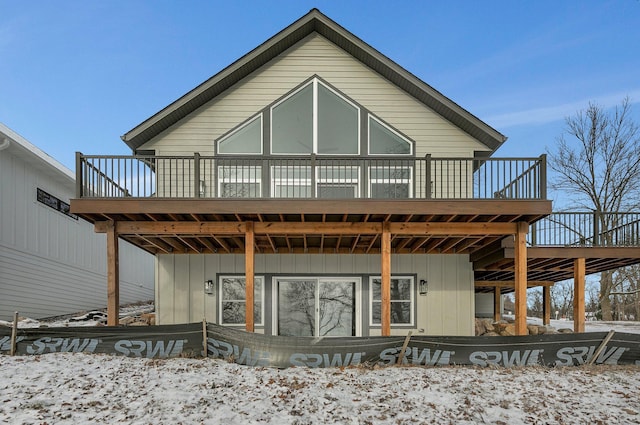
x,y
316,306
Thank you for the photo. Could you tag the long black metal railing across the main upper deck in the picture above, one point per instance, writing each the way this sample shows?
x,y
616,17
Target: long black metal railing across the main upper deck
x,y
309,177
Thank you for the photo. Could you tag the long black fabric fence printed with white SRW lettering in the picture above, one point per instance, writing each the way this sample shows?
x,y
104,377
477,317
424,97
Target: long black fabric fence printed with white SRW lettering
x,y
252,349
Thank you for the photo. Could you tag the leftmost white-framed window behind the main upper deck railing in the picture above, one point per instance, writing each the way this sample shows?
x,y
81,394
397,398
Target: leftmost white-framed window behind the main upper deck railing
x,y
243,181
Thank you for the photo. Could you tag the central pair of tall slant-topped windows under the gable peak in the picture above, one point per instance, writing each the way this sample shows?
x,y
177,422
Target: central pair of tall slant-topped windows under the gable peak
x,y
315,119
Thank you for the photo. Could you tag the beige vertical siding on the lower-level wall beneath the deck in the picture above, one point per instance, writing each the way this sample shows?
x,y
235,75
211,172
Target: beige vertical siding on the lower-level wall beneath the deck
x,y
447,309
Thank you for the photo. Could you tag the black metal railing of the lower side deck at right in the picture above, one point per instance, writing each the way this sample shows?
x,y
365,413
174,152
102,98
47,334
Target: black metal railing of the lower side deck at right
x,y
585,229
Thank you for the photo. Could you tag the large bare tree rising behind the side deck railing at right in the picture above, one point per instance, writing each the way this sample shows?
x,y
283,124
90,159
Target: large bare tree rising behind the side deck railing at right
x,y
597,166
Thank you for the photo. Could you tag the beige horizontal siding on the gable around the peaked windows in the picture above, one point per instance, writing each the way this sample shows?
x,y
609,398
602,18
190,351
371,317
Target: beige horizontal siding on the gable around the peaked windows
x,y
315,55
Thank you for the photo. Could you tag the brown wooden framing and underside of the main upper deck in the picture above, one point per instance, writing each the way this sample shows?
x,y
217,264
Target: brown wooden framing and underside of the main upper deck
x,y
310,226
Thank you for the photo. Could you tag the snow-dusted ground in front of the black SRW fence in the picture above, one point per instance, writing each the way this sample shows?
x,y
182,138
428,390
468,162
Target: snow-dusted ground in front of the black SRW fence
x,y
66,388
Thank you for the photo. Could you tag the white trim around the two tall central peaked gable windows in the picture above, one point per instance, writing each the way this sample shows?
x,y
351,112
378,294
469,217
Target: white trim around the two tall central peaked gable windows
x,y
314,143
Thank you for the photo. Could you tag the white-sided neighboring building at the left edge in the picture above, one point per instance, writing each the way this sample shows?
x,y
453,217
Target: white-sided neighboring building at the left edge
x,y
52,262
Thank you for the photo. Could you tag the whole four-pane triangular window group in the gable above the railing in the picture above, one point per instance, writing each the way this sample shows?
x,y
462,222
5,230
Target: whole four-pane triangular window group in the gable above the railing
x,y
314,119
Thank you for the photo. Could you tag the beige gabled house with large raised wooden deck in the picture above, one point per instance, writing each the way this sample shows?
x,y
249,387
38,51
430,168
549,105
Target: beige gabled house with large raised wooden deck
x,y
321,183
